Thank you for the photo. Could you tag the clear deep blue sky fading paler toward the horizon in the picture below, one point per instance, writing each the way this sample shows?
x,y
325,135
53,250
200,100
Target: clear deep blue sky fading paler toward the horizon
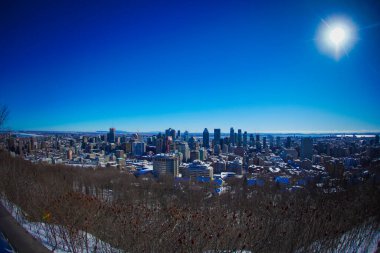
x,y
150,65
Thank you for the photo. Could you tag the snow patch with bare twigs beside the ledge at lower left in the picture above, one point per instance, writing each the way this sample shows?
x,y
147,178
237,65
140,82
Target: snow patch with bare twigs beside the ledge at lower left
x,y
56,237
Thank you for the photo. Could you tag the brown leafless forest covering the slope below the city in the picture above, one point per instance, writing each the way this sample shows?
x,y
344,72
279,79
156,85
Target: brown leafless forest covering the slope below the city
x,y
150,215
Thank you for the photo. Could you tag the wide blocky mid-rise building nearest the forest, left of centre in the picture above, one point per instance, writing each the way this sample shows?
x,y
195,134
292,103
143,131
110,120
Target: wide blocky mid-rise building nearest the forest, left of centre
x,y
166,164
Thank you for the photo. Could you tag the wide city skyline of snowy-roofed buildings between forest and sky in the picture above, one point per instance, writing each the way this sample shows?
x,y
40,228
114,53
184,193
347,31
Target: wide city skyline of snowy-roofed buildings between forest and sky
x,y
285,159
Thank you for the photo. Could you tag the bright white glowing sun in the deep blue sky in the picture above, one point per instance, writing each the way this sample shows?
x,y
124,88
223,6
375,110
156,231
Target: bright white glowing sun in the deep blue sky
x,y
336,36
